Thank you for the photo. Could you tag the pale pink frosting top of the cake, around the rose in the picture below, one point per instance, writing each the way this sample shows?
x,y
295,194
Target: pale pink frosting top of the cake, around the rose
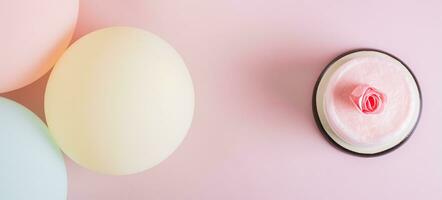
x,y
357,128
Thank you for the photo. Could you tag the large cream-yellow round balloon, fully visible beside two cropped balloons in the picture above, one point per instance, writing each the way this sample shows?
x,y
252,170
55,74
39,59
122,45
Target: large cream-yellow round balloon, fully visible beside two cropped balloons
x,y
120,100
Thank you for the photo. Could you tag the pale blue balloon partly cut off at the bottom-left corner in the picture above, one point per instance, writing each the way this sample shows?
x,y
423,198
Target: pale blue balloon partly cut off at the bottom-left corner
x,y
31,166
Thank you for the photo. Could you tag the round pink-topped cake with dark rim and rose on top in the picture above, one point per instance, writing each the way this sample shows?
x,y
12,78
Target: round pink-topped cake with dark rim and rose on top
x,y
367,102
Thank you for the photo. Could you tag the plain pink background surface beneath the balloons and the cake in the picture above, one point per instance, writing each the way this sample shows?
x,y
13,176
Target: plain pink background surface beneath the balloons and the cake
x,y
254,65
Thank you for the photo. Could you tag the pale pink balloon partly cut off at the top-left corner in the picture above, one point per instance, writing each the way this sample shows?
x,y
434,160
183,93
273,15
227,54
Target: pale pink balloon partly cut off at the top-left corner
x,y
34,35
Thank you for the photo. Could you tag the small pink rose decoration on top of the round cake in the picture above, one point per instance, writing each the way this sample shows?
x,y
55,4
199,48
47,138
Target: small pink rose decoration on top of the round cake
x,y
367,99
